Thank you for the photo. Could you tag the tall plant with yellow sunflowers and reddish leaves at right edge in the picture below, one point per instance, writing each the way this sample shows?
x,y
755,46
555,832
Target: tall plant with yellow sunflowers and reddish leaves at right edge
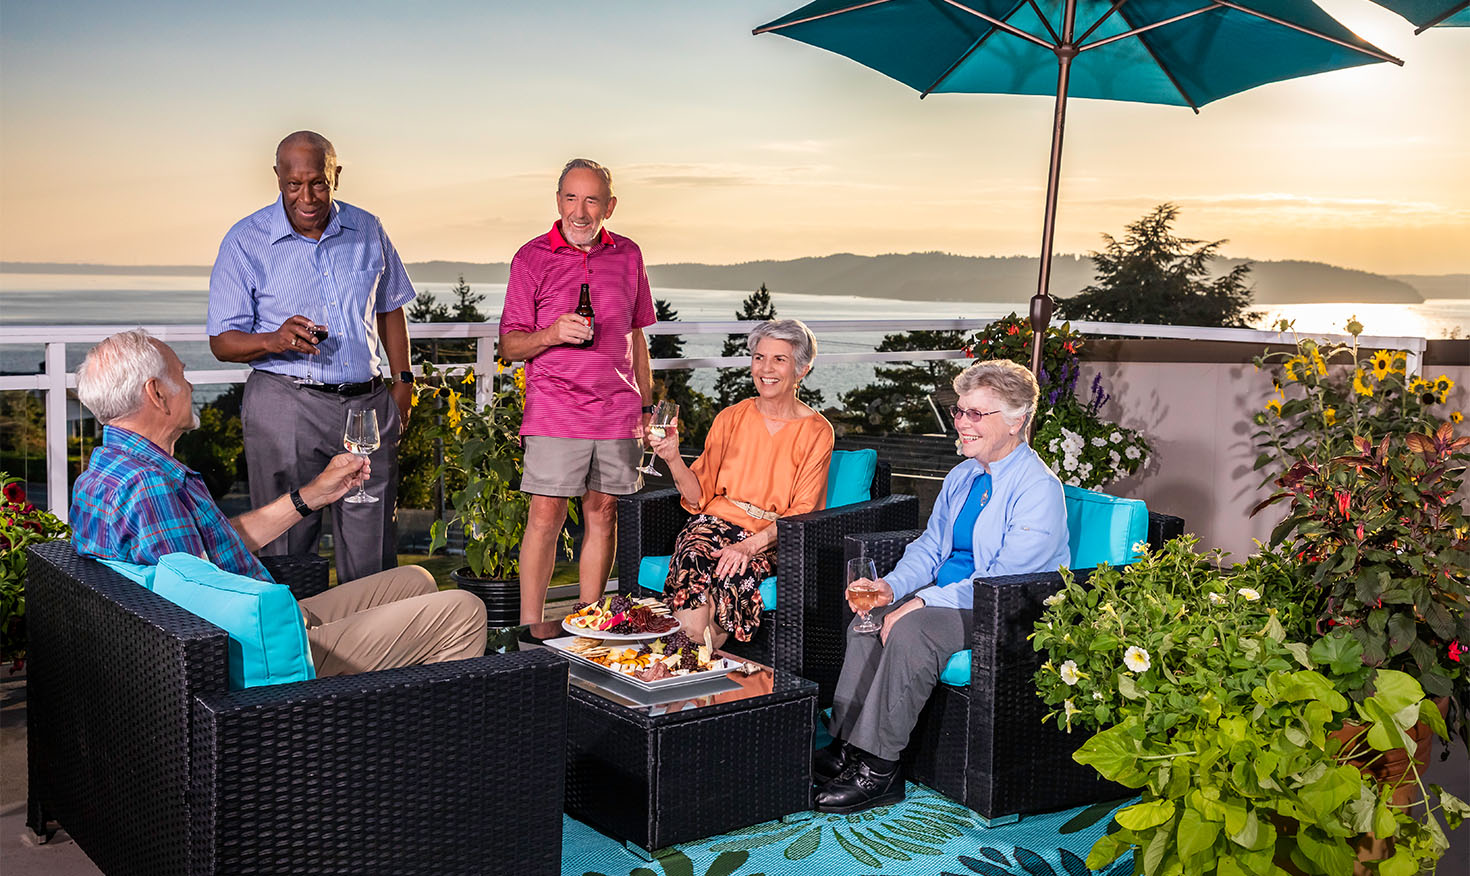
x,y
1368,471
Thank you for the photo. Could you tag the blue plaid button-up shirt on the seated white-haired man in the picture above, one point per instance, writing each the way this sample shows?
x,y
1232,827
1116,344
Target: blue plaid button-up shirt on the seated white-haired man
x,y
137,503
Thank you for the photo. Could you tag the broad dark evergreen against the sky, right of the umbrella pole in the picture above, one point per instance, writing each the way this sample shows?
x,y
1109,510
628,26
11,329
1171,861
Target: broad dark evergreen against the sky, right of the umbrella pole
x,y
1153,277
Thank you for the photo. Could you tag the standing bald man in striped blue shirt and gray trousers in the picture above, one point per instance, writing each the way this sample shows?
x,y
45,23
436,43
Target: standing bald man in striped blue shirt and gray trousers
x,y
305,290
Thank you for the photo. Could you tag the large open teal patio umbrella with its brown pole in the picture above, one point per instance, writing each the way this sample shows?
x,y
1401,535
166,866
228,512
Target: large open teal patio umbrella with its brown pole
x,y
1174,52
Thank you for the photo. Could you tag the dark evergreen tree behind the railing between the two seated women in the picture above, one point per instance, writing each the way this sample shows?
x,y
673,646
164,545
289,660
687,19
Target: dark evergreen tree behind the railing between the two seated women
x,y
899,399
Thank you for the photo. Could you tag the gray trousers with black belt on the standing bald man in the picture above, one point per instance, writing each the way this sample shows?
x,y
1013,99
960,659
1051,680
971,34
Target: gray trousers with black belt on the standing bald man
x,y
292,433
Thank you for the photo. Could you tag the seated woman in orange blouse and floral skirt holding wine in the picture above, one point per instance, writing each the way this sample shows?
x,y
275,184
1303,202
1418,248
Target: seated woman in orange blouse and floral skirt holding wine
x,y
767,458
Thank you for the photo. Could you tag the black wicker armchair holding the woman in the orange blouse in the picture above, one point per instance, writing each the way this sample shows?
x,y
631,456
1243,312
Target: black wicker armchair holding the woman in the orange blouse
x,y
805,636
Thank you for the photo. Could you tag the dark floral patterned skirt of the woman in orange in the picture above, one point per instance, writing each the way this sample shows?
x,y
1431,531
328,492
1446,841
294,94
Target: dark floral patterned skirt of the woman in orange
x,y
692,575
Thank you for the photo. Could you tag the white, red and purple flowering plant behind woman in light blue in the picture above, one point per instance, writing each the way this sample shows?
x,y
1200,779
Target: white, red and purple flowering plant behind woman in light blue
x,y
1072,437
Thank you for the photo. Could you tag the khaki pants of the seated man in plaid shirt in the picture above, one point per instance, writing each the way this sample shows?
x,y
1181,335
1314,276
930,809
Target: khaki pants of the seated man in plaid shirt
x,y
393,618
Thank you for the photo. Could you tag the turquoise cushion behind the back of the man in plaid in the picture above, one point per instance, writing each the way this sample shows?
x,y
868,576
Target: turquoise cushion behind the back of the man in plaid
x,y
267,633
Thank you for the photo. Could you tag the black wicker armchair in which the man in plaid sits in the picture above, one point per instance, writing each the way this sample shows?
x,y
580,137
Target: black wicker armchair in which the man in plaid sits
x,y
155,768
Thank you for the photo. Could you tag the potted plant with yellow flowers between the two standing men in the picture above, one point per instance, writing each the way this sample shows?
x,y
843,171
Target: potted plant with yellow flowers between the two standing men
x,y
481,470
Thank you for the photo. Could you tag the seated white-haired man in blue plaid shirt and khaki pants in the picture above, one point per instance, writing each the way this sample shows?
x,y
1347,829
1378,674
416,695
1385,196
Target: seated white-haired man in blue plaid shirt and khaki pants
x,y
137,503
